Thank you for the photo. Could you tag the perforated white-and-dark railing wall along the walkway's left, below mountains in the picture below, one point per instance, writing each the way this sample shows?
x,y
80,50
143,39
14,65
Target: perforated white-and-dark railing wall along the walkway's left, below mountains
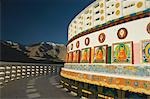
x,y
14,71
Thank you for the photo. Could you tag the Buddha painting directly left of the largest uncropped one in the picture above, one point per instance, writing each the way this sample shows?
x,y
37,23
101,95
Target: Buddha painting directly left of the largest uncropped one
x,y
100,54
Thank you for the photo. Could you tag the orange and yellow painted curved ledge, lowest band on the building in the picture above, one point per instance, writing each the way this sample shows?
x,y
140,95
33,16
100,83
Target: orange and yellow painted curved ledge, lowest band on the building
x,y
127,84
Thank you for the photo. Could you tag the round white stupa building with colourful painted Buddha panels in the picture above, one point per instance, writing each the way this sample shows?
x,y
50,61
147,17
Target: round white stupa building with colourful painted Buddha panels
x,y
109,46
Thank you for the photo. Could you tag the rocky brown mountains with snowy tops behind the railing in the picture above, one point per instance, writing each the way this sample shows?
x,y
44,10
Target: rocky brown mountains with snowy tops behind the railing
x,y
46,52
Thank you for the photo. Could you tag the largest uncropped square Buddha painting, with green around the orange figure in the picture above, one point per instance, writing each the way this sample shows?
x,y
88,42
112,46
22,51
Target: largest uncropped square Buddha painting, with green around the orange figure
x,y
122,53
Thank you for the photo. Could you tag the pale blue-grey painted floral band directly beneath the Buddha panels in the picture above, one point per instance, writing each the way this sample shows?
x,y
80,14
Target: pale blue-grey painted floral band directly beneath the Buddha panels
x,y
130,70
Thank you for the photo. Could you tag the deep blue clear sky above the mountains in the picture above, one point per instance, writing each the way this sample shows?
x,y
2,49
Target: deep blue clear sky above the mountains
x,y
32,21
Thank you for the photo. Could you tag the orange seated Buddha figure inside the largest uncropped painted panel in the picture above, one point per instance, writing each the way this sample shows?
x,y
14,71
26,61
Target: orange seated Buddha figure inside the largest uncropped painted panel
x,y
122,56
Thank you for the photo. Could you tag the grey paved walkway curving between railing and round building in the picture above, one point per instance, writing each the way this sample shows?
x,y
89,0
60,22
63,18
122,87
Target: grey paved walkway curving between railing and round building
x,y
43,87
